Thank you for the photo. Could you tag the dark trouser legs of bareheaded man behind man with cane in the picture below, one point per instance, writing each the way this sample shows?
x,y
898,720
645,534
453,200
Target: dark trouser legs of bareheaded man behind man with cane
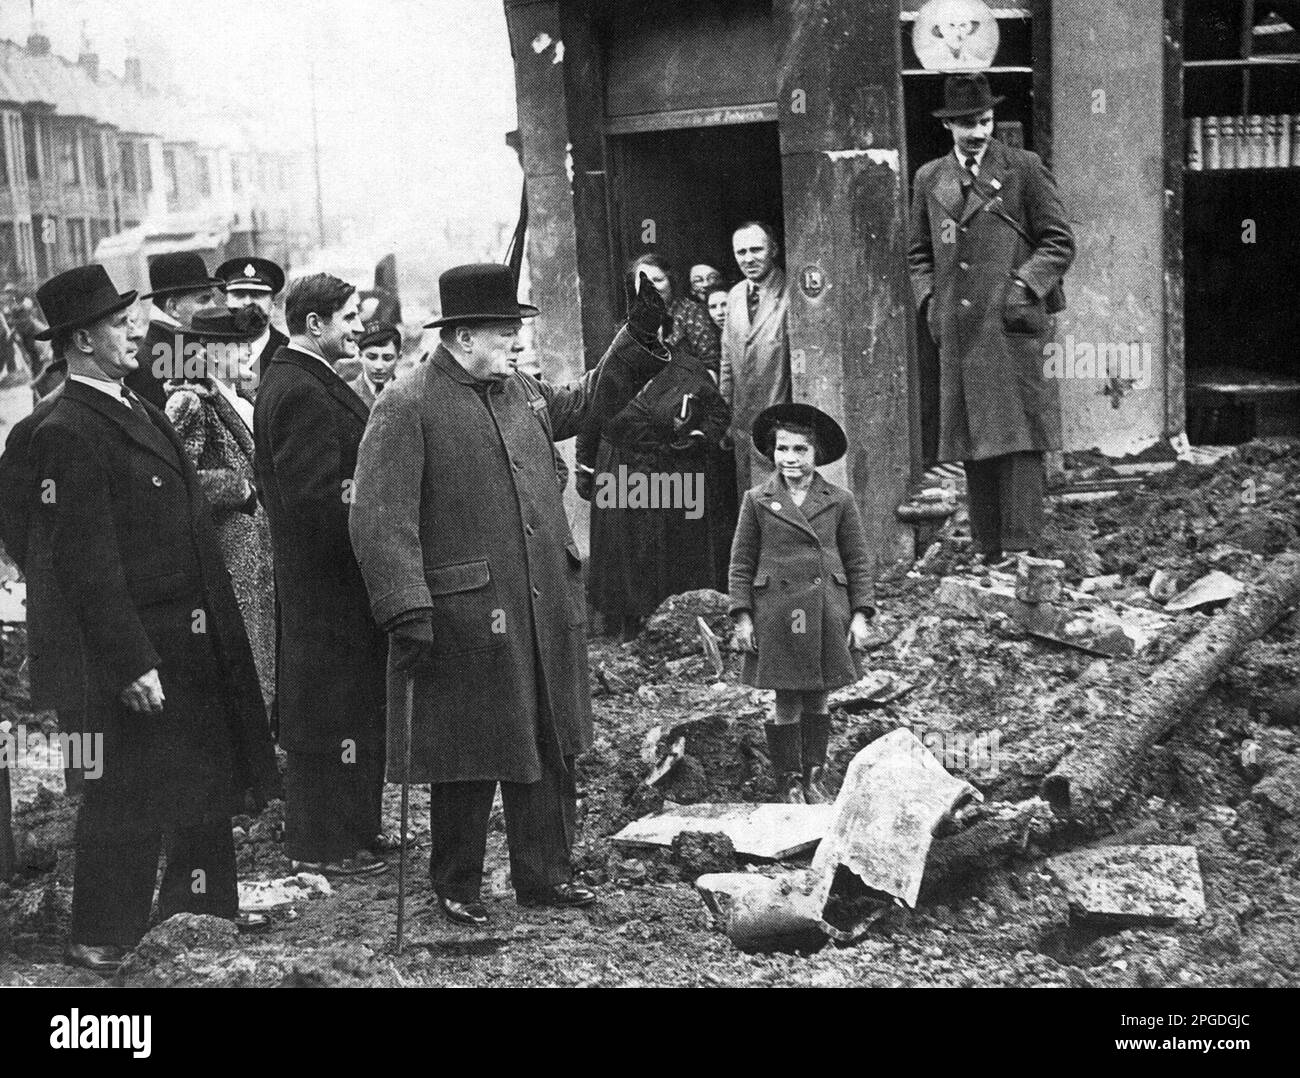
x,y
332,809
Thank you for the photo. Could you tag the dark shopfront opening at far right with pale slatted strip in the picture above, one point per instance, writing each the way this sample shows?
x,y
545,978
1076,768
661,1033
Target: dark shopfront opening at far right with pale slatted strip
x,y
1241,81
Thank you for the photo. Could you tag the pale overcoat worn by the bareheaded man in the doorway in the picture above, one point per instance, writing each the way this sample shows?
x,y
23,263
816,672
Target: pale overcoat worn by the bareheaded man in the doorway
x,y
755,371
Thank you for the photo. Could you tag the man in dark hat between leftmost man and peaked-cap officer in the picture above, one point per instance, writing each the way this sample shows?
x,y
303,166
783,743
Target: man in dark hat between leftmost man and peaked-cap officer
x,y
180,285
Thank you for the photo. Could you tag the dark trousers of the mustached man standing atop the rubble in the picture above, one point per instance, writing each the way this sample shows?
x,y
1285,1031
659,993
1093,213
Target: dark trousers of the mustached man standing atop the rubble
x,y
1006,500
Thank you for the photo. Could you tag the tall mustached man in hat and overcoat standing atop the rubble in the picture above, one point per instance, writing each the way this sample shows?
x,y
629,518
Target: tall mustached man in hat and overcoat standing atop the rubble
x,y
990,245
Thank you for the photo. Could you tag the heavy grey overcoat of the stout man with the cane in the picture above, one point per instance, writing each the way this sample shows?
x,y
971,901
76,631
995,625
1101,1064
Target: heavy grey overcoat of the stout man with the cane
x,y
458,514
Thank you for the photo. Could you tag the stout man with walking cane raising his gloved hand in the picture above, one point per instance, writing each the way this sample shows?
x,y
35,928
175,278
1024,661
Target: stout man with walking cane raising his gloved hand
x,y
461,532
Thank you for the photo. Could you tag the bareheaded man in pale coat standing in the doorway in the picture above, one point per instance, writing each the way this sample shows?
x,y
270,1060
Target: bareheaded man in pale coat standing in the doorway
x,y
756,362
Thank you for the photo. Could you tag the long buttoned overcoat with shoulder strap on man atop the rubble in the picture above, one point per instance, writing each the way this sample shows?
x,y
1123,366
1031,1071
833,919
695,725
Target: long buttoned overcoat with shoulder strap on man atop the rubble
x,y
994,395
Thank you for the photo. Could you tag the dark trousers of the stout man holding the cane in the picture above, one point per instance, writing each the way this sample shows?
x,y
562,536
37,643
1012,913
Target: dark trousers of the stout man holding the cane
x,y
540,820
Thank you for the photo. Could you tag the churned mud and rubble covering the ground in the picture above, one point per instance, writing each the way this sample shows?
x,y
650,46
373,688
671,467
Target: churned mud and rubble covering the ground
x,y
996,705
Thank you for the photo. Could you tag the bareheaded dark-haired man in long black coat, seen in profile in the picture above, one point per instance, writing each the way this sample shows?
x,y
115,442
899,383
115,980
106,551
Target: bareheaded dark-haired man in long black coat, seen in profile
x,y
331,666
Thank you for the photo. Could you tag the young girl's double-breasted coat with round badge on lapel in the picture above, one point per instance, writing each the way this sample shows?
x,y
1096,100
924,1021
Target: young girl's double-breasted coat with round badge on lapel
x,y
801,572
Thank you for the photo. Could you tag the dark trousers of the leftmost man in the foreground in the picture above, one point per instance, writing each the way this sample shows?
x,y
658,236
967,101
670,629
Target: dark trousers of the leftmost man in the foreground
x,y
114,886
